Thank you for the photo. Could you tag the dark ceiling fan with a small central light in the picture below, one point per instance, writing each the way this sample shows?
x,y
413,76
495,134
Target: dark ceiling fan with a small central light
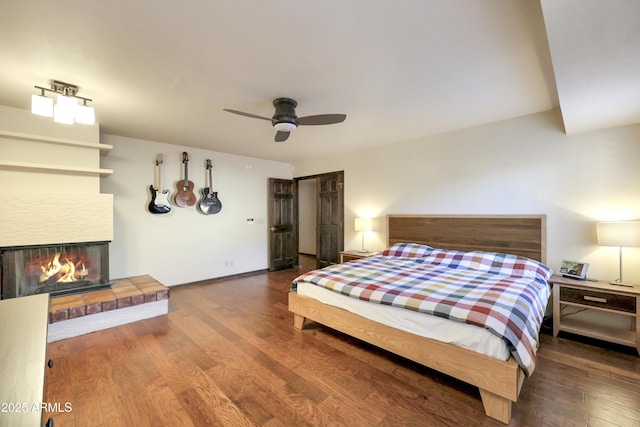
x,y
285,119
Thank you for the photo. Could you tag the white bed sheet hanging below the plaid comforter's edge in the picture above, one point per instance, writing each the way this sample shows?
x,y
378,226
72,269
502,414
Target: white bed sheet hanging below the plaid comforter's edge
x,y
437,328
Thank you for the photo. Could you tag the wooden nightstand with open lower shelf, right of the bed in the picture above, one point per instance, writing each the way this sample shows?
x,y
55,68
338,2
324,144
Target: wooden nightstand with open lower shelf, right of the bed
x,y
596,309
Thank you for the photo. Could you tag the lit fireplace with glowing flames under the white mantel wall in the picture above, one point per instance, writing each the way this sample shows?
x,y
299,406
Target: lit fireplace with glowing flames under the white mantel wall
x,y
55,269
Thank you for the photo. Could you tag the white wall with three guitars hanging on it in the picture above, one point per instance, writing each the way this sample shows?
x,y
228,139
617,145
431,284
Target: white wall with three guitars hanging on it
x,y
184,245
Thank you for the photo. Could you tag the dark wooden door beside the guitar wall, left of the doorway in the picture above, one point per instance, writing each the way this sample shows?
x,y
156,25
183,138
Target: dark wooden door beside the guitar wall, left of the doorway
x,y
283,231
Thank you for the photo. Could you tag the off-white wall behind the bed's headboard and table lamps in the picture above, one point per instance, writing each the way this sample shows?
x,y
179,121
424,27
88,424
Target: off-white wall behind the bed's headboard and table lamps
x,y
526,165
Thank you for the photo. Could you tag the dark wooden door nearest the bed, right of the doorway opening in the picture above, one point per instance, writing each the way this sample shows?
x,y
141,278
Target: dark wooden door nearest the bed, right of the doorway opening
x,y
330,218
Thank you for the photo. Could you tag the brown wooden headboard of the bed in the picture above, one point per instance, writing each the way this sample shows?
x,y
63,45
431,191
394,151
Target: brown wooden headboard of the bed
x,y
523,235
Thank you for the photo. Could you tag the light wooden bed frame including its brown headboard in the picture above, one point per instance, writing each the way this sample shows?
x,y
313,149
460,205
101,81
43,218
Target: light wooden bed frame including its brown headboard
x,y
499,381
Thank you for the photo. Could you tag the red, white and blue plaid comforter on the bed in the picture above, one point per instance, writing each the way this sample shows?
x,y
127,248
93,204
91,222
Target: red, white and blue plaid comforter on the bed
x,y
505,294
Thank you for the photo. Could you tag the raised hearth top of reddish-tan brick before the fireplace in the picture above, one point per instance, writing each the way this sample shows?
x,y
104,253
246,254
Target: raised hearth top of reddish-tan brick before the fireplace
x,y
124,293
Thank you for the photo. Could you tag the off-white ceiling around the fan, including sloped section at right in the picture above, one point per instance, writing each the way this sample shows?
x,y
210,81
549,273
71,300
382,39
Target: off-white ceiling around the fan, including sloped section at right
x,y
164,70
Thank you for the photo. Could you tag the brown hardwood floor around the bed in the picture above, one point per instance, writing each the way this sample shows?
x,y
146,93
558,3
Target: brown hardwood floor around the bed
x,y
227,354
